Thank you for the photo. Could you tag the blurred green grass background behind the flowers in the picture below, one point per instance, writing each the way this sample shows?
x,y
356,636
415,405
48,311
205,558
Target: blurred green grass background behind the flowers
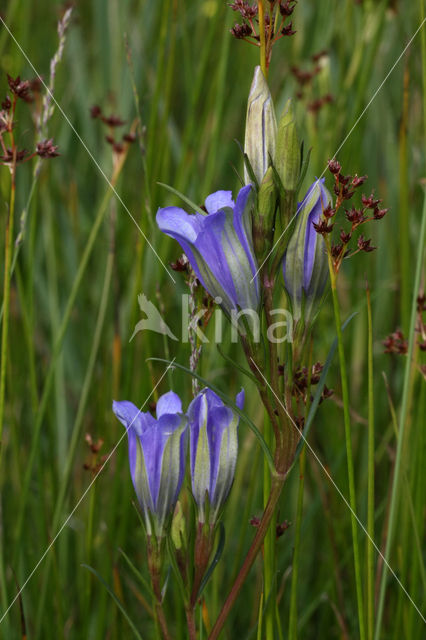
x,y
192,80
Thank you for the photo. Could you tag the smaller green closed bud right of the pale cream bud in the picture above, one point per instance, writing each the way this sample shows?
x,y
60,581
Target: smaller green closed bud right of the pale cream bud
x,y
287,154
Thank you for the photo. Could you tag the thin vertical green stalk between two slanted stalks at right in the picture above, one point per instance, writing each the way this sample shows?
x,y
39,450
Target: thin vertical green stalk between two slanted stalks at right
x,y
370,499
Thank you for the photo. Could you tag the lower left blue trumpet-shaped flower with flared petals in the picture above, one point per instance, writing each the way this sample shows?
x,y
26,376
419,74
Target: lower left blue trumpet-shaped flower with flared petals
x,y
156,456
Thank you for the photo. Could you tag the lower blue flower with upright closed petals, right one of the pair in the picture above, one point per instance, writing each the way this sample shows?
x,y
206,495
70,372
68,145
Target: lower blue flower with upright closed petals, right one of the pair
x,y
213,447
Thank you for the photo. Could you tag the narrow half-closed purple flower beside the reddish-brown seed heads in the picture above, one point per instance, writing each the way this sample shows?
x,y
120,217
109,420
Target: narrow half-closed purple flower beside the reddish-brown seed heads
x,y
305,261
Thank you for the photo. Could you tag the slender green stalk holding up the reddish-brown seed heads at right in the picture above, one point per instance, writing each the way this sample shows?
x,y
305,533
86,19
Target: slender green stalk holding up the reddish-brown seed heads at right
x,y
349,455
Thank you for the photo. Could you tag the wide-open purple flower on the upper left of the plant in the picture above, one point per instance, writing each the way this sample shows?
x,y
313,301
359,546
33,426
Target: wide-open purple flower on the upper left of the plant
x,y
219,246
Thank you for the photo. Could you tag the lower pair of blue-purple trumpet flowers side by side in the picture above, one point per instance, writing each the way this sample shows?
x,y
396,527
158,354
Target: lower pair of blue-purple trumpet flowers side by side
x,y
157,454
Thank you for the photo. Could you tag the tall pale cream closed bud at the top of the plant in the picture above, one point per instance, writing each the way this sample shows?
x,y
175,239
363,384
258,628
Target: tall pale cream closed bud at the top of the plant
x,y
261,127
